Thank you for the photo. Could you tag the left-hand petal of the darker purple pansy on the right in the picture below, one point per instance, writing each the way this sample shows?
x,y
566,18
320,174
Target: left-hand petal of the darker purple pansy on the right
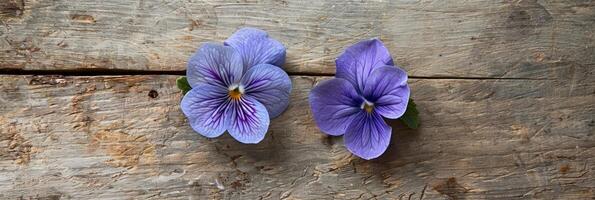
x,y
333,104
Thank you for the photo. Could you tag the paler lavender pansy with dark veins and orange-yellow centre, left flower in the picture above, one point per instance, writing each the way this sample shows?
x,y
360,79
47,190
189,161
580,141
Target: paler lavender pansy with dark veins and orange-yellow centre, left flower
x,y
237,87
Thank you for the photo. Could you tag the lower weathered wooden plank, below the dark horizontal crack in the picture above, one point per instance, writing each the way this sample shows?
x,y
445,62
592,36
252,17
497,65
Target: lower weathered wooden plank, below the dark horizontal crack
x,y
106,137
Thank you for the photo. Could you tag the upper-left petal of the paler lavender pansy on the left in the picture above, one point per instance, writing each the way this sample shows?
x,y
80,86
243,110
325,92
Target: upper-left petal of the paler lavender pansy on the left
x,y
214,64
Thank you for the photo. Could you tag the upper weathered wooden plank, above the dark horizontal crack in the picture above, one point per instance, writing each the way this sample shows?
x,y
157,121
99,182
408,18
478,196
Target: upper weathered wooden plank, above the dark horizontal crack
x,y
478,38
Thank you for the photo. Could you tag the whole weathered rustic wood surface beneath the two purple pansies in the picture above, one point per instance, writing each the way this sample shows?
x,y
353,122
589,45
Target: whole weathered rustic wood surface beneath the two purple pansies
x,y
89,107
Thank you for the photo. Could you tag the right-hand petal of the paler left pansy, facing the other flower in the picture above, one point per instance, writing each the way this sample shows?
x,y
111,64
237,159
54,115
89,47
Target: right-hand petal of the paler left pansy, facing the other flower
x,y
269,85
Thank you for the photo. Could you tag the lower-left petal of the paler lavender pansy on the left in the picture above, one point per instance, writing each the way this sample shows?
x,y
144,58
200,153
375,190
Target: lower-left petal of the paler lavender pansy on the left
x,y
205,106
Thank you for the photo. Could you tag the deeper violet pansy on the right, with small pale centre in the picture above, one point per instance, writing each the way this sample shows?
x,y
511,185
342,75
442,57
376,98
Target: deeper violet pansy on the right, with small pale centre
x,y
366,89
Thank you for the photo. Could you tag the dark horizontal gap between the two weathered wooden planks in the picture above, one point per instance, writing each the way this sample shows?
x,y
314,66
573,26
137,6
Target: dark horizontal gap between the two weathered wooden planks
x,y
116,72
